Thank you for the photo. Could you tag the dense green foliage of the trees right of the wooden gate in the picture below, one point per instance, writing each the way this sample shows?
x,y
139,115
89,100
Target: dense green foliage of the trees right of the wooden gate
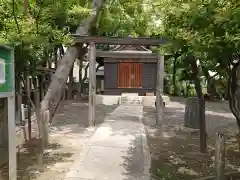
x,y
208,30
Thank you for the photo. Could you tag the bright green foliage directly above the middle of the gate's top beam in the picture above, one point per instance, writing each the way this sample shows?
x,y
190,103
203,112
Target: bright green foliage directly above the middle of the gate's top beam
x,y
123,17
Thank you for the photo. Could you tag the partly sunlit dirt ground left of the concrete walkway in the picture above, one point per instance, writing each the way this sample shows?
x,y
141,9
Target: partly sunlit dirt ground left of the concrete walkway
x,y
68,134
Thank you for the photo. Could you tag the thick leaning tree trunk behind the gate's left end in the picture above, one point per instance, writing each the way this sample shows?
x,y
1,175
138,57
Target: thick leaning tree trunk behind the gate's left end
x,y
64,66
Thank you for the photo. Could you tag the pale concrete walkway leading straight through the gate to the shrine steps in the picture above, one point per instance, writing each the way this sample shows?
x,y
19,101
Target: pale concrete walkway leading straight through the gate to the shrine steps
x,y
118,149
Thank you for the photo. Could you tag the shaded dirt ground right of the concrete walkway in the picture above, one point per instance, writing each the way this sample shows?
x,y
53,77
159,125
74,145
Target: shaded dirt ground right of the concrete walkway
x,y
175,150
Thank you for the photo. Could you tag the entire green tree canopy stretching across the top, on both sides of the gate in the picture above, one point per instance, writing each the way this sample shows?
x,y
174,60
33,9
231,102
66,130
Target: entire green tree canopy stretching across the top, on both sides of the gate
x,y
208,30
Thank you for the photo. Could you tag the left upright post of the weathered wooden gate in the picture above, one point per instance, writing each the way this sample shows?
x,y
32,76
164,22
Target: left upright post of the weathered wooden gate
x,y
92,83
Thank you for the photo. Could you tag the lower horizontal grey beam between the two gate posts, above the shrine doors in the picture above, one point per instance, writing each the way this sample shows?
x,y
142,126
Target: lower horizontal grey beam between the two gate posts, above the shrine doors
x,y
124,55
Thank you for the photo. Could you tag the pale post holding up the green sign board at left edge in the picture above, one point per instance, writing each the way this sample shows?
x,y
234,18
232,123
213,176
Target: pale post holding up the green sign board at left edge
x,y
12,139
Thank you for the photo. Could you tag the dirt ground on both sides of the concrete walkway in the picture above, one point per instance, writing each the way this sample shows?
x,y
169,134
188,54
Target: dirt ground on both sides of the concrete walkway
x,y
174,149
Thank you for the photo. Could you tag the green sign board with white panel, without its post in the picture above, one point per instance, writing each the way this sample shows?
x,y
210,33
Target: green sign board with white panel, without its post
x,y
6,70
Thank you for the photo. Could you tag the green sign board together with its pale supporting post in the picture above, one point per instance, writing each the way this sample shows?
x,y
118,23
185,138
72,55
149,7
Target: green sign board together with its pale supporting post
x,y
7,90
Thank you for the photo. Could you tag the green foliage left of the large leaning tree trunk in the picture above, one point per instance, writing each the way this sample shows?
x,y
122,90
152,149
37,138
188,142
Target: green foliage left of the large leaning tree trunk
x,y
35,32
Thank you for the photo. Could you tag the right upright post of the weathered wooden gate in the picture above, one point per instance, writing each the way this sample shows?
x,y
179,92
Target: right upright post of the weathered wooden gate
x,y
159,90
